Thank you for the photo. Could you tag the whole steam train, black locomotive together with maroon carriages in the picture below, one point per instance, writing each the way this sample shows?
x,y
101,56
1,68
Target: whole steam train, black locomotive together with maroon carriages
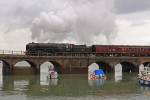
x,y
66,49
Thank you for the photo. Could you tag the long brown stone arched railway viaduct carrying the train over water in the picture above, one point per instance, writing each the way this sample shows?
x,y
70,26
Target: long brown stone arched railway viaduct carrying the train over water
x,y
70,64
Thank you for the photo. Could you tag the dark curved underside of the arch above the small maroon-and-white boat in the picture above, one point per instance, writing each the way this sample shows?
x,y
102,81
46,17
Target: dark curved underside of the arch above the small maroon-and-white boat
x,y
57,65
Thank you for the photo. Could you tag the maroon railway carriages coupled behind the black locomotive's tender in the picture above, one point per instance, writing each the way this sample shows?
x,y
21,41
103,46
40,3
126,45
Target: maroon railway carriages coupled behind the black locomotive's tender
x,y
121,50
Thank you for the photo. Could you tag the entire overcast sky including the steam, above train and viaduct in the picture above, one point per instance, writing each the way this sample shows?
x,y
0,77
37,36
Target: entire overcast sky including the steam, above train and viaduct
x,y
122,22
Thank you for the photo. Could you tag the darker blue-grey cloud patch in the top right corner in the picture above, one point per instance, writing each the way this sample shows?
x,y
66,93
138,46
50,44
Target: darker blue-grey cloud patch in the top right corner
x,y
130,6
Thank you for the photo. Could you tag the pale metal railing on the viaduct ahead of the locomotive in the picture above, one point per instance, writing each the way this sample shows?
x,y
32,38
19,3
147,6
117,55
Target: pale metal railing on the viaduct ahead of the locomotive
x,y
11,52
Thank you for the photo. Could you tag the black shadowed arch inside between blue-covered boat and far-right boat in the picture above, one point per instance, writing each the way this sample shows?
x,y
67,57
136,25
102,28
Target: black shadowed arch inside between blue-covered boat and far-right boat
x,y
129,66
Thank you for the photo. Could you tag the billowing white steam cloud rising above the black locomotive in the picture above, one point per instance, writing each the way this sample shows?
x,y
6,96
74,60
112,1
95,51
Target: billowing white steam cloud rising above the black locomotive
x,y
79,20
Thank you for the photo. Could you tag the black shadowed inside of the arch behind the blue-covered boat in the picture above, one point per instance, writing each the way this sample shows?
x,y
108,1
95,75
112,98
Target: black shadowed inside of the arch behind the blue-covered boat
x,y
105,66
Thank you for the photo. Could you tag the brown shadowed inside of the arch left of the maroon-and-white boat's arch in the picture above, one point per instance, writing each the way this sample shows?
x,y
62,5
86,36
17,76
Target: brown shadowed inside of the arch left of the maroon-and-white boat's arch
x,y
25,70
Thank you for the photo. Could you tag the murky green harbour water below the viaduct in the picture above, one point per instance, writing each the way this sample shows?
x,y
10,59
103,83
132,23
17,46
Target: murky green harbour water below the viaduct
x,y
72,87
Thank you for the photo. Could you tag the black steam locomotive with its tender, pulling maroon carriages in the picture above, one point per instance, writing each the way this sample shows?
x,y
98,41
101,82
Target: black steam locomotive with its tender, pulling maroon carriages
x,y
55,49
